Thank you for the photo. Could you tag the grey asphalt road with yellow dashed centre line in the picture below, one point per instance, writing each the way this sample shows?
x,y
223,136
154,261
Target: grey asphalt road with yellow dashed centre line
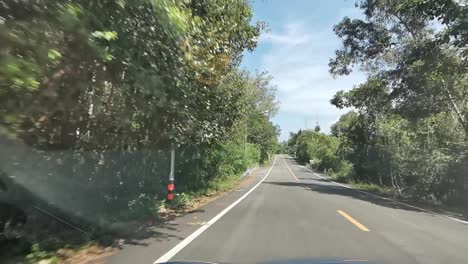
x,y
294,214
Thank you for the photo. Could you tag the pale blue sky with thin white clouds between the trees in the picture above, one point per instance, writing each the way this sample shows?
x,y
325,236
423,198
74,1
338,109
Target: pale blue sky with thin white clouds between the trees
x,y
296,52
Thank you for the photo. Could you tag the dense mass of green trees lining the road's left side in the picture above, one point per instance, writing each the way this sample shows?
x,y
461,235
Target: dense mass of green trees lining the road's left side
x,y
98,91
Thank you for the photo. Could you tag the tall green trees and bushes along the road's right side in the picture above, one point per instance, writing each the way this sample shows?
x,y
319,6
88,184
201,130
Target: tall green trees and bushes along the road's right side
x,y
411,127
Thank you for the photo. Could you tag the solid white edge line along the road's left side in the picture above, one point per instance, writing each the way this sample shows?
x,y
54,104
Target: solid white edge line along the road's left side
x,y
171,253
